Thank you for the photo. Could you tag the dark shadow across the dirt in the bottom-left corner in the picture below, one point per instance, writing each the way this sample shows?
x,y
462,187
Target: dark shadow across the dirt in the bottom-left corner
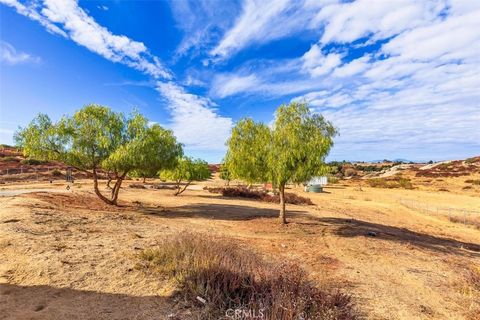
x,y
45,302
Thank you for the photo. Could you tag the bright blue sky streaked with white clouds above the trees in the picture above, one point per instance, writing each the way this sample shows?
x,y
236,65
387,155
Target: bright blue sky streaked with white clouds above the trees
x,y
400,79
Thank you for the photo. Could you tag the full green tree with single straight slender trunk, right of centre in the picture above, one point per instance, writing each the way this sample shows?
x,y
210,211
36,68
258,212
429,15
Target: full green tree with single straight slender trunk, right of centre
x,y
292,151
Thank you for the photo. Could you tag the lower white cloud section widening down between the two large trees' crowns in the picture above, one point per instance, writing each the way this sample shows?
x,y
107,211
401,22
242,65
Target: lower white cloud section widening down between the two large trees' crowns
x,y
194,121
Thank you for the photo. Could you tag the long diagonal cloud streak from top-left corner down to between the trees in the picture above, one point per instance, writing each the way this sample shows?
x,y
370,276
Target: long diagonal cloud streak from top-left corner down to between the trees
x,y
195,121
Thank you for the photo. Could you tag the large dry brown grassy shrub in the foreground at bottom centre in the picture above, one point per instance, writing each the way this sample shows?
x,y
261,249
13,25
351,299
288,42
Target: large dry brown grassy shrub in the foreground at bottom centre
x,y
216,275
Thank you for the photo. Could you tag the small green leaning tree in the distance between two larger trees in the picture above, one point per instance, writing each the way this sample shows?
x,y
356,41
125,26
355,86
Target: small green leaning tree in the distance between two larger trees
x,y
188,170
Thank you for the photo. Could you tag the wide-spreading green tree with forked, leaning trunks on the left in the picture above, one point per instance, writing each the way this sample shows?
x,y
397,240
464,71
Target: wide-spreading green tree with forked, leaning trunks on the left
x,y
96,139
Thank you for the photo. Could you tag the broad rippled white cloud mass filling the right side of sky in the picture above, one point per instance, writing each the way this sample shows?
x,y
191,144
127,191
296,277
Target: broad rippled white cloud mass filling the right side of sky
x,y
417,89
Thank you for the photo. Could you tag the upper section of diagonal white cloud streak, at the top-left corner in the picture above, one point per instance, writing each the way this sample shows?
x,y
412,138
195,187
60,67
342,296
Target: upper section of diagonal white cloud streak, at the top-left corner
x,y
66,18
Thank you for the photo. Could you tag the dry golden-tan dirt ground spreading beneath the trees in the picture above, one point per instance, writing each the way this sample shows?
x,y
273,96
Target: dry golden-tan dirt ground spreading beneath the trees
x,y
66,255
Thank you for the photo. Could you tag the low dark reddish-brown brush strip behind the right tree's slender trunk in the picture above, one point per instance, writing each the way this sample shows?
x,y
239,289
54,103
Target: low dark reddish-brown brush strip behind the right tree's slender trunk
x,y
242,192
